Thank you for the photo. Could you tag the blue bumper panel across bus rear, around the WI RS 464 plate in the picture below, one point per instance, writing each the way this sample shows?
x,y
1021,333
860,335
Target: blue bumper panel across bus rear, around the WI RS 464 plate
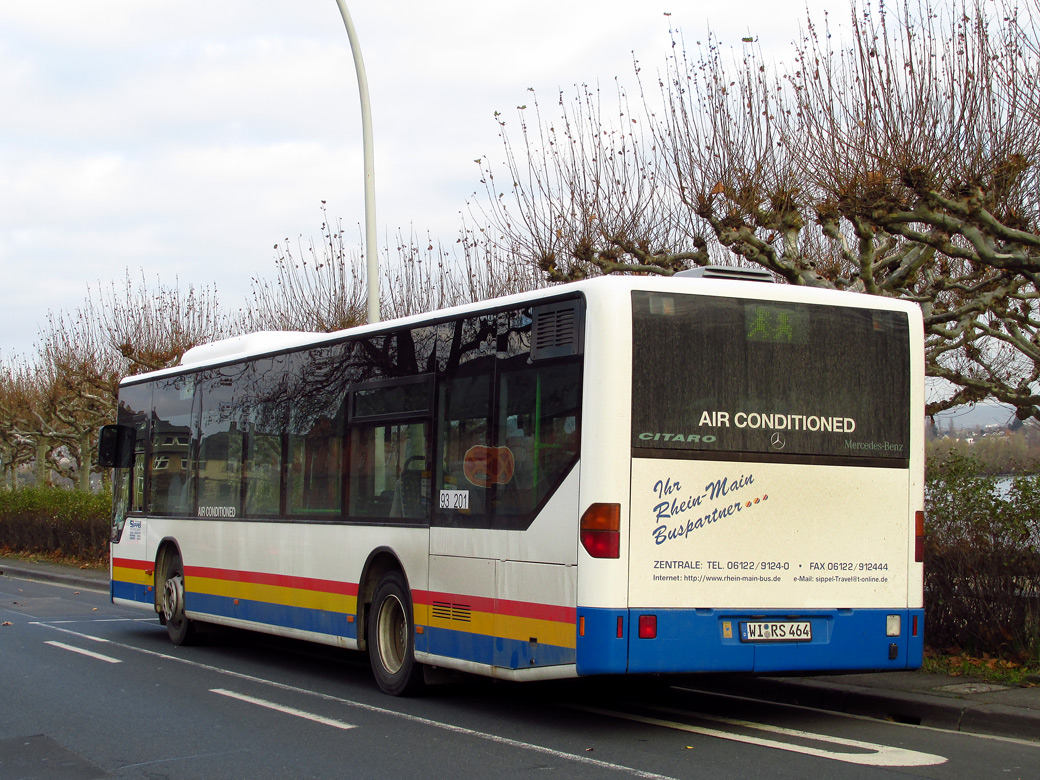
x,y
710,641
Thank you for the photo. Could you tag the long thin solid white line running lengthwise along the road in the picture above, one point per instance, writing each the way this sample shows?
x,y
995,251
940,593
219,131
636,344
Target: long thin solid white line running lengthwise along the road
x,y
394,714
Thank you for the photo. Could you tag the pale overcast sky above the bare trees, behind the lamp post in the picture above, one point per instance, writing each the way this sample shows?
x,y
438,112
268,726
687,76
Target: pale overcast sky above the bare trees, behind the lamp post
x,y
187,139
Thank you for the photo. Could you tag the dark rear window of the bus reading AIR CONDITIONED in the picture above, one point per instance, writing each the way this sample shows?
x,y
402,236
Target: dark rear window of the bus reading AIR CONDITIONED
x,y
734,376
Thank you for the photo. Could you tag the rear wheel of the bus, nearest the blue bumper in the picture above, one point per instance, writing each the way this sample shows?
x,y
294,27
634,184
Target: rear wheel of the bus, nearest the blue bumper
x,y
392,638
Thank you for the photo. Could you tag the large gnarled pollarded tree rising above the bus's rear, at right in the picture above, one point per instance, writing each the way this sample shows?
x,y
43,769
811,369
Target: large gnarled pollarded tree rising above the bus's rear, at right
x,y
902,163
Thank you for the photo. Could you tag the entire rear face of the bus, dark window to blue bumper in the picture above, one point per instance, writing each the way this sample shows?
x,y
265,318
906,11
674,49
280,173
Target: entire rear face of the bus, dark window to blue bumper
x,y
775,491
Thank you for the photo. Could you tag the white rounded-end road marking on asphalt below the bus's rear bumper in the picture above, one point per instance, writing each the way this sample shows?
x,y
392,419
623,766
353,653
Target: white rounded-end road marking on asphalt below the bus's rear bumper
x,y
875,756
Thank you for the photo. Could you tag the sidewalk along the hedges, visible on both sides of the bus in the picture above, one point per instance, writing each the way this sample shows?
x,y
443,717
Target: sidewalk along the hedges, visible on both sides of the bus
x,y
952,704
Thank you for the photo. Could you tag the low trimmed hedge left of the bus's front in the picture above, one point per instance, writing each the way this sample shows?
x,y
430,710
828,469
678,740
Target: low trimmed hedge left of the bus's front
x,y
56,522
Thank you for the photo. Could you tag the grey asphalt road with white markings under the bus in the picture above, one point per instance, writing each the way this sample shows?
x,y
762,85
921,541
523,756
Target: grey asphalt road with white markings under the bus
x,y
91,691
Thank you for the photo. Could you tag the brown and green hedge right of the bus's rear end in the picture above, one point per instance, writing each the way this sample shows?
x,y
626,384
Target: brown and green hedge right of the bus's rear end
x,y
982,560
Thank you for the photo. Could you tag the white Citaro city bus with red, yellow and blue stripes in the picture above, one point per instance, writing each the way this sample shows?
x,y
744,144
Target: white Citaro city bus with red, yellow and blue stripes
x,y
622,476
